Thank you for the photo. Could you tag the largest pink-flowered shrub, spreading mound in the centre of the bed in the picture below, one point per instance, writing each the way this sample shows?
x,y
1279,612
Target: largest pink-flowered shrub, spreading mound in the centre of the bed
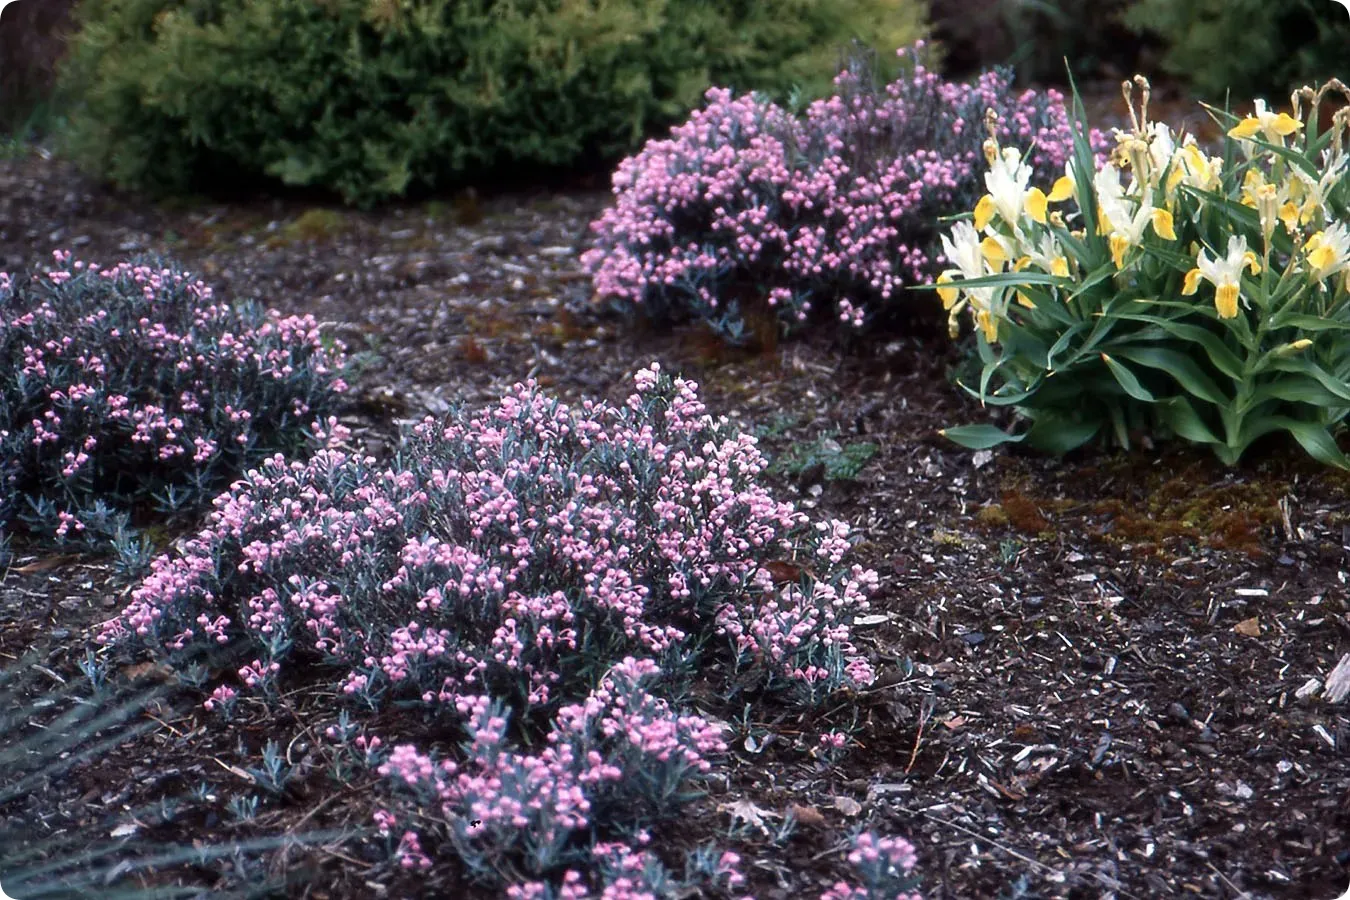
x,y
516,554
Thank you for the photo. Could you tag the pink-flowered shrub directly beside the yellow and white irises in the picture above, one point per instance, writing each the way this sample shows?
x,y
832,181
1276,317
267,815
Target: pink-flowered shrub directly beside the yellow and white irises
x,y
831,213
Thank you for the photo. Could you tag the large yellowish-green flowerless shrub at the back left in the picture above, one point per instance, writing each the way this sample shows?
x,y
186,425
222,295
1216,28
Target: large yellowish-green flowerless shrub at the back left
x,y
375,99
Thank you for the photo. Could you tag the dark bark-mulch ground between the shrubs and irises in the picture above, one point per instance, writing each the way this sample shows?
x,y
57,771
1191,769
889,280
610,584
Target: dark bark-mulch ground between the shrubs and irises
x,y
1091,667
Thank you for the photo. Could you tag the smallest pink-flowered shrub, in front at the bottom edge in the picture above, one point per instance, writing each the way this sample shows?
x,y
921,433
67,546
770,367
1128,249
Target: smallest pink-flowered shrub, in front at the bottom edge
x,y
616,764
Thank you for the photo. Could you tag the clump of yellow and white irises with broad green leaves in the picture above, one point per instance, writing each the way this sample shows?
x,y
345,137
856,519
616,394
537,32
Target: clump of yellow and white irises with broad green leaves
x,y
1204,298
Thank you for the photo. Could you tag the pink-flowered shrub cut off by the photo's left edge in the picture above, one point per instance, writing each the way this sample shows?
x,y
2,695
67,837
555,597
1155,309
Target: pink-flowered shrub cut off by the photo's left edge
x,y
130,388
